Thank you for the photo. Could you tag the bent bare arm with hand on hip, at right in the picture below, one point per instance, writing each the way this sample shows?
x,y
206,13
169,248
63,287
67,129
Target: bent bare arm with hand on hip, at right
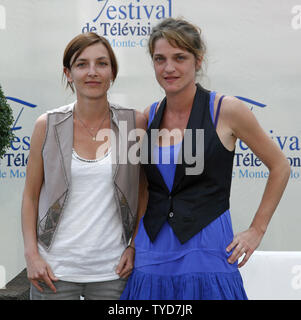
x,y
245,127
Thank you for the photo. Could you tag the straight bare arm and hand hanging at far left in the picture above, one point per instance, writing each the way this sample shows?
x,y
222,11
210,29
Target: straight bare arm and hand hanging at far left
x,y
37,268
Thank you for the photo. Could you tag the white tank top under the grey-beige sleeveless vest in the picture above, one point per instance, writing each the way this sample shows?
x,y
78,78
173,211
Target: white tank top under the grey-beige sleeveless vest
x,y
88,242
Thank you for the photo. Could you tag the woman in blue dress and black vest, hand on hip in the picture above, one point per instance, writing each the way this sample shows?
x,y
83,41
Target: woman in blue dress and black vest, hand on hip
x,y
185,247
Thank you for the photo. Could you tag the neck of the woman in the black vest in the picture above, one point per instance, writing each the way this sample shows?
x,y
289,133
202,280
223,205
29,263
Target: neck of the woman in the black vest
x,y
181,101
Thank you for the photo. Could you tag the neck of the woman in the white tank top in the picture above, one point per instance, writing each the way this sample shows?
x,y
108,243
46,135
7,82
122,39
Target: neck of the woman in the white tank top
x,y
91,109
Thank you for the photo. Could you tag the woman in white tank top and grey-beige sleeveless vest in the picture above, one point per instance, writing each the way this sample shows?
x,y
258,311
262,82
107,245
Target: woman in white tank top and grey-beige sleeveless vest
x,y
79,204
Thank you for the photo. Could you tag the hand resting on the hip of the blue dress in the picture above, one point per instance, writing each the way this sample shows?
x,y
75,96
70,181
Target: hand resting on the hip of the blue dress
x,y
244,243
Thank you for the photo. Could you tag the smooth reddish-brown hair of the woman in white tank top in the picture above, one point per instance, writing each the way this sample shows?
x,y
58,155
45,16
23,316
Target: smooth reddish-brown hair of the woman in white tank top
x,y
78,44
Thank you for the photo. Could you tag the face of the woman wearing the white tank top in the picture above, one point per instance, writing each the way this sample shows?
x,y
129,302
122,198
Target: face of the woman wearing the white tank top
x,y
91,72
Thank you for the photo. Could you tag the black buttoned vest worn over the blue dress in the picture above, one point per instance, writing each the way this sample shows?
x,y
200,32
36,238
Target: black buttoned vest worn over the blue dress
x,y
195,200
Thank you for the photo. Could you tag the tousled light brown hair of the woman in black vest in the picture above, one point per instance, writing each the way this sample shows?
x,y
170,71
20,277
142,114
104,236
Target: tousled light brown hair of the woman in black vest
x,y
180,33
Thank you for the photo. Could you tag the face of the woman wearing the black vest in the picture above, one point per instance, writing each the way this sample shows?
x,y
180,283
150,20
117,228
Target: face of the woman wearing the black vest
x,y
175,68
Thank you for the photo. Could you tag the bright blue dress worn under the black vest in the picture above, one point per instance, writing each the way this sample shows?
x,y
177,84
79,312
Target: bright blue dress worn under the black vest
x,y
196,270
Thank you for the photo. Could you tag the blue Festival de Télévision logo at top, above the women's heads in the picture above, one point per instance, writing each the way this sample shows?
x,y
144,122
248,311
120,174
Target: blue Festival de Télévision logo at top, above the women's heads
x,y
125,23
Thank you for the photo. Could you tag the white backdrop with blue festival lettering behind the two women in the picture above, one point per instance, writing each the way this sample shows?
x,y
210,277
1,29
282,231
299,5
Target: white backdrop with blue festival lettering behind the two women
x,y
254,52
